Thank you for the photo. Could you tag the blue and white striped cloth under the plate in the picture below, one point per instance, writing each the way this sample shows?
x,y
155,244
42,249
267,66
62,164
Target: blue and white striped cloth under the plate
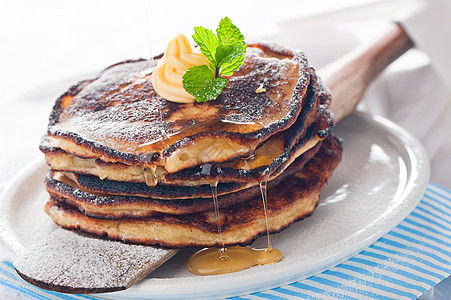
x,y
403,264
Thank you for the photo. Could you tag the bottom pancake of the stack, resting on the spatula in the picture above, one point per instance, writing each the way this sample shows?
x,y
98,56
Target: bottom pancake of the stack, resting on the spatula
x,y
292,199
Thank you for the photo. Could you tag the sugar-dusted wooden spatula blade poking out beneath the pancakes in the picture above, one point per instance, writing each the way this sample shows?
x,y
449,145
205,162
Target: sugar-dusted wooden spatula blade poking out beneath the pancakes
x,y
74,262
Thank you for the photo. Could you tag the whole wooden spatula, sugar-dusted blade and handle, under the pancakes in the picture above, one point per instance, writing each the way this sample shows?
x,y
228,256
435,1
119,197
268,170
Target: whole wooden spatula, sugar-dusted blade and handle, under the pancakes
x,y
71,262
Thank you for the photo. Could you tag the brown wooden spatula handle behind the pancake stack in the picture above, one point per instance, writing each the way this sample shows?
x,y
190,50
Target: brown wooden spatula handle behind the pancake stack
x,y
349,76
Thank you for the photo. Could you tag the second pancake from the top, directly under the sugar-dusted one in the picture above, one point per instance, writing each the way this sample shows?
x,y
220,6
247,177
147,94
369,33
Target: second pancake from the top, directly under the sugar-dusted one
x,y
272,154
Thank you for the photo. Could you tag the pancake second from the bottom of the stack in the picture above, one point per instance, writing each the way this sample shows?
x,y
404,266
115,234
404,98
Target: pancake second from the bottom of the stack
x,y
100,204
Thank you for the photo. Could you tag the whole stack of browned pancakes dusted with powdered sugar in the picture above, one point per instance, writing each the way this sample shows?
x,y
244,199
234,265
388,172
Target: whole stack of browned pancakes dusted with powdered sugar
x,y
132,166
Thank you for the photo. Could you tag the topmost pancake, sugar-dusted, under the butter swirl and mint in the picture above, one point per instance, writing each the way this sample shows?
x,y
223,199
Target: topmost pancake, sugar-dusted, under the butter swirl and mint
x,y
118,117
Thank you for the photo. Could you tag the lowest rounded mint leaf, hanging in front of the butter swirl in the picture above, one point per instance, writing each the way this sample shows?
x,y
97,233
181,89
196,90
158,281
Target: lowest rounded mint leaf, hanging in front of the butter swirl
x,y
200,82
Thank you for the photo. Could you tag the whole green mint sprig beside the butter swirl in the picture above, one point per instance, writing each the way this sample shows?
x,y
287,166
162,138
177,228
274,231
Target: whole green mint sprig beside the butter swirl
x,y
225,54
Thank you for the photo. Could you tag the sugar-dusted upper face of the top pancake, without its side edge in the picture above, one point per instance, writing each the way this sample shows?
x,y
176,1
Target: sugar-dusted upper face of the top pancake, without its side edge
x,y
120,110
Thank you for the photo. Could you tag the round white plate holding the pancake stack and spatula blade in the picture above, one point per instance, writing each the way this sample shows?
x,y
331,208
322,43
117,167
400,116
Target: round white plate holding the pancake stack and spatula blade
x,y
382,177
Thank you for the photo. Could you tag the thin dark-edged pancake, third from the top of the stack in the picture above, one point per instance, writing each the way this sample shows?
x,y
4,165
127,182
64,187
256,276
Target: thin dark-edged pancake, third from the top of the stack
x,y
217,173
